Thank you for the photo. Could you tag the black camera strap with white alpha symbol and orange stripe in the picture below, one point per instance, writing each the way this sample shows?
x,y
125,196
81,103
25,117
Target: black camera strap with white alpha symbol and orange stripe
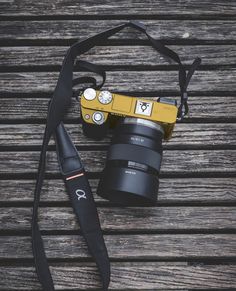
x,y
70,164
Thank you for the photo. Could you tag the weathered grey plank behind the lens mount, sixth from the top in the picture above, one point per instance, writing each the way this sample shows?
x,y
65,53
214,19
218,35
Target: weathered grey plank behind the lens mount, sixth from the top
x,y
184,135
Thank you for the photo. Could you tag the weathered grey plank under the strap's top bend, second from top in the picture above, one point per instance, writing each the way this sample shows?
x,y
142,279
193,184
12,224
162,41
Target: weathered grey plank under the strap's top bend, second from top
x,y
201,30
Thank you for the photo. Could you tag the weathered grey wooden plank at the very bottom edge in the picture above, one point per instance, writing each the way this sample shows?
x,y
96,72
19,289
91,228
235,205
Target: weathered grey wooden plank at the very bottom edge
x,y
132,276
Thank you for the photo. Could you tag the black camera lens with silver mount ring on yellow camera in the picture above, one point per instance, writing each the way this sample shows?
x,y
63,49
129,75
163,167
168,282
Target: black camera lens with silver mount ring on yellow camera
x,y
130,176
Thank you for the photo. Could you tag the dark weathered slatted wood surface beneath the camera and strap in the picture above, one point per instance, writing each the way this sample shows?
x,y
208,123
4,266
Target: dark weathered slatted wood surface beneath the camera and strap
x,y
187,242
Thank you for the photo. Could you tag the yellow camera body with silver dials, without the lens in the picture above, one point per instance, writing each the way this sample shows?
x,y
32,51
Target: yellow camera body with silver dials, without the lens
x,y
99,107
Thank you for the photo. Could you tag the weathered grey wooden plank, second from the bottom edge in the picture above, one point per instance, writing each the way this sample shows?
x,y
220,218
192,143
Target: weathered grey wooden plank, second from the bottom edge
x,y
126,247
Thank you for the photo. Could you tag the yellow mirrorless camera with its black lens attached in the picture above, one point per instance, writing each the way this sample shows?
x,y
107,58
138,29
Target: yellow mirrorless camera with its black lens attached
x,y
130,176
